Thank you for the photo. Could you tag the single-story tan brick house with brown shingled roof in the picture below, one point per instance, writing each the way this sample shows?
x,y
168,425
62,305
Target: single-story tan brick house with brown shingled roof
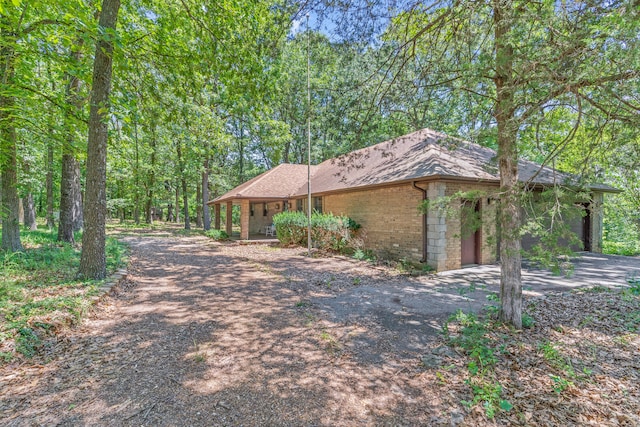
x,y
381,187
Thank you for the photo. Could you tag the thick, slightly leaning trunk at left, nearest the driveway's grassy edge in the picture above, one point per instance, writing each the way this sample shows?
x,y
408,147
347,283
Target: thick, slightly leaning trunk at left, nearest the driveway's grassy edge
x,y
93,258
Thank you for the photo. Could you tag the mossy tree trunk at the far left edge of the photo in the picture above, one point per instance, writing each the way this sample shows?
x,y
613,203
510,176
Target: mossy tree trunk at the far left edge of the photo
x,y
8,164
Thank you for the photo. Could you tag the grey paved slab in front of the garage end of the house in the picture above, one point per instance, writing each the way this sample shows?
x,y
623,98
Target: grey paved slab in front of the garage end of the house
x,y
413,309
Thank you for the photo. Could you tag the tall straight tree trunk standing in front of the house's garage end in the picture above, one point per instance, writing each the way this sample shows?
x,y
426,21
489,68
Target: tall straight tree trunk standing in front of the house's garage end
x,y
510,244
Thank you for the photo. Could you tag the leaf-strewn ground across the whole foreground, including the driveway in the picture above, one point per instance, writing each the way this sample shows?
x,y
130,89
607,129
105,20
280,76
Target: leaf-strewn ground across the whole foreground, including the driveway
x,y
207,333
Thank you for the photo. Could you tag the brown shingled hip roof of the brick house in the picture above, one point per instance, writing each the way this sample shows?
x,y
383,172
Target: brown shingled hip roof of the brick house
x,y
416,156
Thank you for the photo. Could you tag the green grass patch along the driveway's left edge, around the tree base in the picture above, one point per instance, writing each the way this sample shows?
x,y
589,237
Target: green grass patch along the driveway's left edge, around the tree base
x,y
39,291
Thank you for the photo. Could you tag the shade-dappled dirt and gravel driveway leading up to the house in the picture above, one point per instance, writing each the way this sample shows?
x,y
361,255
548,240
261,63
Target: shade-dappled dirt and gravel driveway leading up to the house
x,y
209,334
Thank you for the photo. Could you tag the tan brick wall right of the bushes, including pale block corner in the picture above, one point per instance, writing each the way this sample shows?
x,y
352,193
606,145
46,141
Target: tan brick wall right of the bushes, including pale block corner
x,y
393,225
